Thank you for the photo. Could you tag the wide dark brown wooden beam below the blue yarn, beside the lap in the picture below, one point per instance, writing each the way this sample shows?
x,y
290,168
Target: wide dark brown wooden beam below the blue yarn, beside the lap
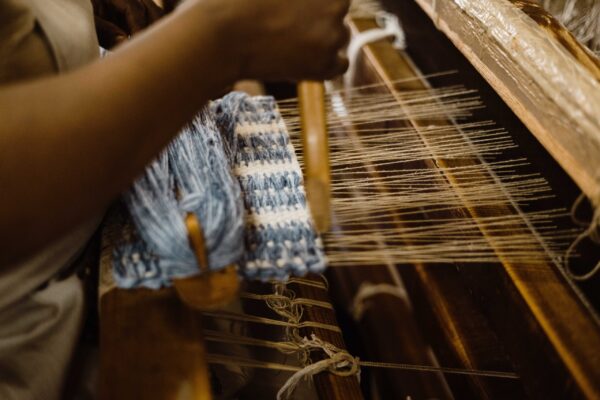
x,y
151,347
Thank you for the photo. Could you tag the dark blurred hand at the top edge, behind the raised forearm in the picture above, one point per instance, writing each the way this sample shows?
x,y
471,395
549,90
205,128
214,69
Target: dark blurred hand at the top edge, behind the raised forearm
x,y
116,20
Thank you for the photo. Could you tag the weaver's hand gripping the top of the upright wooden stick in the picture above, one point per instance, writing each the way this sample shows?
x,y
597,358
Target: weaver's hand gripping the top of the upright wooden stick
x,y
290,40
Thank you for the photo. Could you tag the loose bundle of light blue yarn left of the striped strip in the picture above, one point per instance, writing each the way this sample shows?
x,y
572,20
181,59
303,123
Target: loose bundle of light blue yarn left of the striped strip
x,y
191,175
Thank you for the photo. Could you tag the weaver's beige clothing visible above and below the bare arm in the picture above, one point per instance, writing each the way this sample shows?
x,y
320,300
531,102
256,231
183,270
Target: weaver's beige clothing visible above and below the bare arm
x,y
40,314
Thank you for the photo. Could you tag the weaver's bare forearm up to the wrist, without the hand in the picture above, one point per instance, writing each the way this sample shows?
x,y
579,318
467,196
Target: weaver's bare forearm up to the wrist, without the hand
x,y
70,144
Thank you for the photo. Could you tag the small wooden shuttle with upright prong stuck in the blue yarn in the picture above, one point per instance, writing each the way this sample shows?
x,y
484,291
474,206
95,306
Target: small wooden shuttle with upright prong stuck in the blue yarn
x,y
209,289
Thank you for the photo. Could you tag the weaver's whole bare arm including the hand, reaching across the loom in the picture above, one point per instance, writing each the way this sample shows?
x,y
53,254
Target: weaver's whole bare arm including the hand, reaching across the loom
x,y
70,144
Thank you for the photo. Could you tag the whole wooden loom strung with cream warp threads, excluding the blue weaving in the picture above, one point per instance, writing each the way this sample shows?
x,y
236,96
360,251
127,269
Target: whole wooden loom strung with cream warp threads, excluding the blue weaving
x,y
452,267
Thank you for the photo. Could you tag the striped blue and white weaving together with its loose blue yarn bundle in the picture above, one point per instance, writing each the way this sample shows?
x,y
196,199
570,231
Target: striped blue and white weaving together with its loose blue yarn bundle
x,y
245,186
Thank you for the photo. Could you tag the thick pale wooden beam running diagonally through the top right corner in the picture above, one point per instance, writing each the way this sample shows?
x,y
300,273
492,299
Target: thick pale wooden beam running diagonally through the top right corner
x,y
552,85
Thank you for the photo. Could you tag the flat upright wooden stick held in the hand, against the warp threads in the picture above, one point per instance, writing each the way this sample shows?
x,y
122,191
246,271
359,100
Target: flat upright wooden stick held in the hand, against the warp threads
x,y
317,179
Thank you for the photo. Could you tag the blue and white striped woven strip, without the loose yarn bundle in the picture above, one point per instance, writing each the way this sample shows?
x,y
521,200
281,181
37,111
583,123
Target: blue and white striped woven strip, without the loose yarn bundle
x,y
280,237
